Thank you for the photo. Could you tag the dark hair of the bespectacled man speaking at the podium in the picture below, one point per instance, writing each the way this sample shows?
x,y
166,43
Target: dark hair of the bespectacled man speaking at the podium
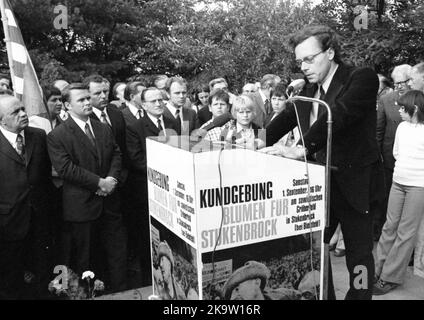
x,y
326,36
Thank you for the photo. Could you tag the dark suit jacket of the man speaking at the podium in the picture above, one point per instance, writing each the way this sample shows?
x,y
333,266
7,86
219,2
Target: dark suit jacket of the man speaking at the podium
x,y
352,98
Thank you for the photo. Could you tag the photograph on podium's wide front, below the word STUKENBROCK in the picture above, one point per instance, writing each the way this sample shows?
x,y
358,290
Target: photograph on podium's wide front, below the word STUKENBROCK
x,y
282,269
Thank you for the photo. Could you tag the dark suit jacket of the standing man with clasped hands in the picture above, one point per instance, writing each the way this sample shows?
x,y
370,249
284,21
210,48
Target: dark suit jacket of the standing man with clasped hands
x,y
81,166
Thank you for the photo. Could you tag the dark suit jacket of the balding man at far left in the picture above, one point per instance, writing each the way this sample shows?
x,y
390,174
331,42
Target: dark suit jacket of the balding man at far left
x,y
23,186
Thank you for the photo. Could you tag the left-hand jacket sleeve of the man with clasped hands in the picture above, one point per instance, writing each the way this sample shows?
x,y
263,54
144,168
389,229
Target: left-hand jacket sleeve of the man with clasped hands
x,y
64,166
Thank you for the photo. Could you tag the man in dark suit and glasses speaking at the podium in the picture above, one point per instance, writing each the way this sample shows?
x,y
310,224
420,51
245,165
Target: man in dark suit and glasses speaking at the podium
x,y
351,93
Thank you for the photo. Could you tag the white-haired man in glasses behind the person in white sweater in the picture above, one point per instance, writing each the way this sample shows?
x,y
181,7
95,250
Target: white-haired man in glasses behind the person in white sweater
x,y
388,119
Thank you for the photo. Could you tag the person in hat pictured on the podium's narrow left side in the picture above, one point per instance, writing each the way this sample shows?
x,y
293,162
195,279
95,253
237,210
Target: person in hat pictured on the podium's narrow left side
x,y
172,290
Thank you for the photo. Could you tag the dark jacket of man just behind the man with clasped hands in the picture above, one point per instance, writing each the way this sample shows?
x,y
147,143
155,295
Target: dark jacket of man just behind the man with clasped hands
x,y
119,132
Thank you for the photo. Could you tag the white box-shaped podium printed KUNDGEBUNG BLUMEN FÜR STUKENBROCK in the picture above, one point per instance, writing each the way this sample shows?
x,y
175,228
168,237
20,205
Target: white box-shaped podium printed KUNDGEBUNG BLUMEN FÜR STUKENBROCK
x,y
232,223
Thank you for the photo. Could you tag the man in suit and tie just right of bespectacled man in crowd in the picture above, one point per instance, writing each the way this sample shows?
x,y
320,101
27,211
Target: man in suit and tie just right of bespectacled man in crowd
x,y
185,118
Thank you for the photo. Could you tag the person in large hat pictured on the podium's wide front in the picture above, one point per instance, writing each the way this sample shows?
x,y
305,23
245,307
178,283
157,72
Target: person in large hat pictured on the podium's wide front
x,y
248,283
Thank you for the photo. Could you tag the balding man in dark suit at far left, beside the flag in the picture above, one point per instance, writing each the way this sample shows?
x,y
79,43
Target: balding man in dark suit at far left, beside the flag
x,y
24,198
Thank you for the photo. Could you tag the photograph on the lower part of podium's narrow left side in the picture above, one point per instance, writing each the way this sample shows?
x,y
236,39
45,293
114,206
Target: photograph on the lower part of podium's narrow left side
x,y
174,265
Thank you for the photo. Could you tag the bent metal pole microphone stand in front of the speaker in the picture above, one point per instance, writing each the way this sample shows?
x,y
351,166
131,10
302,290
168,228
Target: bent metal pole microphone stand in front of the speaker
x,y
327,180
